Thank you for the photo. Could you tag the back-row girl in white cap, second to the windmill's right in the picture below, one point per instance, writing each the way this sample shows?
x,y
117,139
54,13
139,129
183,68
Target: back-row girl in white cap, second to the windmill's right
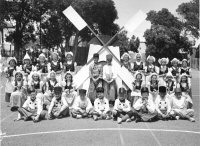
x,y
138,65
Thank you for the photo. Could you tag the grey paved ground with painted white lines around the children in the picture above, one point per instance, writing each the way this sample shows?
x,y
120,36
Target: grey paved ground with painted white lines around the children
x,y
84,132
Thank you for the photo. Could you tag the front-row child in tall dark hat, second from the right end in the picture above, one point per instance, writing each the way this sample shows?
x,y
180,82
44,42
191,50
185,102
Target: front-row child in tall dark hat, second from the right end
x,y
163,106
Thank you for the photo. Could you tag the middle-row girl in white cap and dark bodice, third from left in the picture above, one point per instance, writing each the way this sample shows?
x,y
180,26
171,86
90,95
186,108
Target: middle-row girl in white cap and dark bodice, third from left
x,y
50,84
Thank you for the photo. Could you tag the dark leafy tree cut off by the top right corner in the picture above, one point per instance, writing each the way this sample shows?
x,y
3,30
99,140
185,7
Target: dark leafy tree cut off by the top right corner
x,y
190,13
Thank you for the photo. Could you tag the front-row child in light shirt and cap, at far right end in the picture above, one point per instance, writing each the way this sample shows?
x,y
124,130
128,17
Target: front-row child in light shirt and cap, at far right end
x,y
181,106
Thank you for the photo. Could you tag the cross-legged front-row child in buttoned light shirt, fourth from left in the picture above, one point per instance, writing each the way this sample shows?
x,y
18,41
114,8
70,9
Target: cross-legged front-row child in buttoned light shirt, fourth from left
x,y
101,106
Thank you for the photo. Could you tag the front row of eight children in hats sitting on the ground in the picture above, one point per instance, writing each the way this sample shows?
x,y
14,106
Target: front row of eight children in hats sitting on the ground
x,y
165,107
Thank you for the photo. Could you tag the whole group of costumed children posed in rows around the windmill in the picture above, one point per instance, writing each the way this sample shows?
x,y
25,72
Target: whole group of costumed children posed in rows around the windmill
x,y
46,90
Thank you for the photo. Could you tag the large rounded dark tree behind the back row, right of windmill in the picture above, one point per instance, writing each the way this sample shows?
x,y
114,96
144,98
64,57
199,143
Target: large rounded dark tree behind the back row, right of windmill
x,y
164,38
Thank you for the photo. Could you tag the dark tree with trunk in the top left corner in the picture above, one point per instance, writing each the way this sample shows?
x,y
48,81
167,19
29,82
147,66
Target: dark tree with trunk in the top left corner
x,y
23,14
